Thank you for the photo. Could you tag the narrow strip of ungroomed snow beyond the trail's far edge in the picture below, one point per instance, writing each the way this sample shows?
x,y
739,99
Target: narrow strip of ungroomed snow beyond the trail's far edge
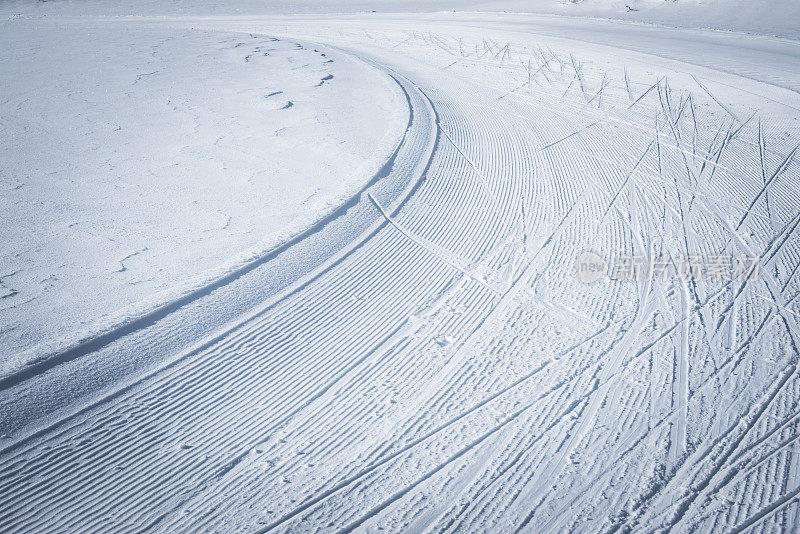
x,y
767,17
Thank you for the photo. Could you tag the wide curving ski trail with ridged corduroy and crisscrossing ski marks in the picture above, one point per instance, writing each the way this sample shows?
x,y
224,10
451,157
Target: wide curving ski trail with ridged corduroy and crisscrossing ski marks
x,y
447,371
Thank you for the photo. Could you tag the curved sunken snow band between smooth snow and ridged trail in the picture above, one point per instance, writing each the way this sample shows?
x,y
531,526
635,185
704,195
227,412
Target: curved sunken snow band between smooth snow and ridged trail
x,y
55,389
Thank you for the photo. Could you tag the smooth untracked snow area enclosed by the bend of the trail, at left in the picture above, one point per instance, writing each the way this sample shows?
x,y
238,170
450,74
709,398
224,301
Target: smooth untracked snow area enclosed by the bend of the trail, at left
x,y
139,163
